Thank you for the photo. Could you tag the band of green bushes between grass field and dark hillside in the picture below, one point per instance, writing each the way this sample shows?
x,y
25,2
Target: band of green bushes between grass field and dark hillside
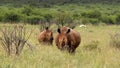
x,y
74,14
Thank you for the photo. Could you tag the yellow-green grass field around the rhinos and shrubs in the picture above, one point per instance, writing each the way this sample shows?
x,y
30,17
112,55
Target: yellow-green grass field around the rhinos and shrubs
x,y
102,56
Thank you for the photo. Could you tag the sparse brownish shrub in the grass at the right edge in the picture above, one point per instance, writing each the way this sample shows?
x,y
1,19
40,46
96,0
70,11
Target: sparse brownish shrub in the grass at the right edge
x,y
115,40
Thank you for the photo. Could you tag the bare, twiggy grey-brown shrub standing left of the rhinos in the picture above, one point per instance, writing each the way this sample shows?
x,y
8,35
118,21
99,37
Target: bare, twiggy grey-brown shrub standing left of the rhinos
x,y
14,38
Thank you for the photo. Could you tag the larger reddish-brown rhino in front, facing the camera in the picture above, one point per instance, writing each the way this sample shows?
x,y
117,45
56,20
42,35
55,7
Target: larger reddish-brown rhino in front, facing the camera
x,y
67,39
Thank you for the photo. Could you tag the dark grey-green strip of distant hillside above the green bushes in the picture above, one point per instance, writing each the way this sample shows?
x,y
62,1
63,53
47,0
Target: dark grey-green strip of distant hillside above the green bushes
x,y
47,3
